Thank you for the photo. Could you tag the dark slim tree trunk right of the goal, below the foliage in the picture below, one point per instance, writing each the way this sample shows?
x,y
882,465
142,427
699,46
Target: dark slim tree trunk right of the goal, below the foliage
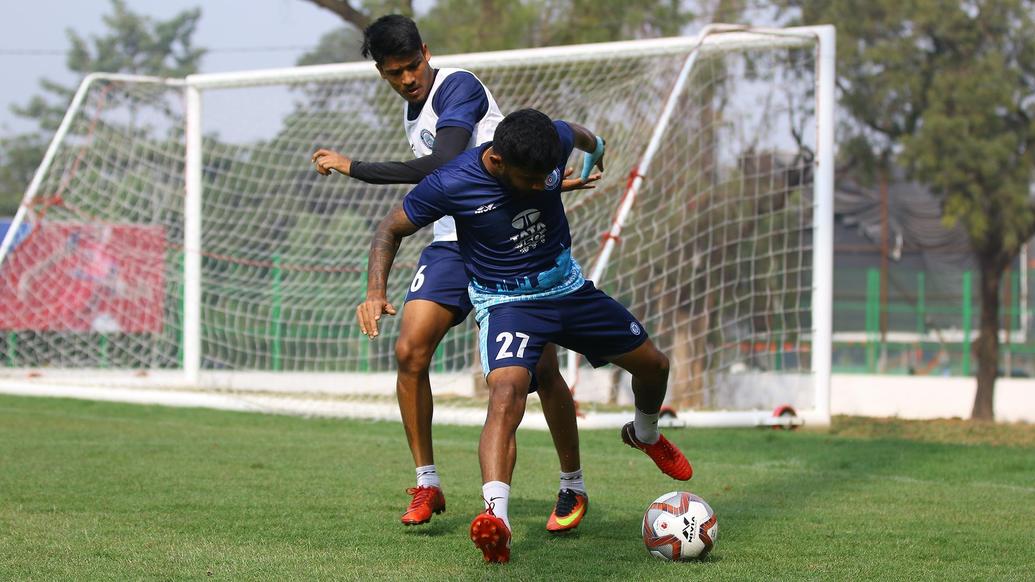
x,y
993,267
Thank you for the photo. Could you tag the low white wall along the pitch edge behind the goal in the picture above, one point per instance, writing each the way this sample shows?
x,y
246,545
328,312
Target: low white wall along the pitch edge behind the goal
x,y
906,397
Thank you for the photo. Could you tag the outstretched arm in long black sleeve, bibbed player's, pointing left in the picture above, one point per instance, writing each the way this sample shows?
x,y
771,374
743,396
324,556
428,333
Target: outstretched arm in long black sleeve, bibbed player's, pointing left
x,y
450,142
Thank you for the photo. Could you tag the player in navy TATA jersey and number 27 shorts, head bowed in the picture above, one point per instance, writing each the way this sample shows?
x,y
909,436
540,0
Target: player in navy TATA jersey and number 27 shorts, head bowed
x,y
527,292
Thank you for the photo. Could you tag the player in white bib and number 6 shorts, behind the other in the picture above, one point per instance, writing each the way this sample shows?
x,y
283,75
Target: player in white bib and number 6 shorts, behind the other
x,y
448,111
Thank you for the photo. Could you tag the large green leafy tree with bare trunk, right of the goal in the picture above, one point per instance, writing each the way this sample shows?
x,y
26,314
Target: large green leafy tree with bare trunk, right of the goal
x,y
949,91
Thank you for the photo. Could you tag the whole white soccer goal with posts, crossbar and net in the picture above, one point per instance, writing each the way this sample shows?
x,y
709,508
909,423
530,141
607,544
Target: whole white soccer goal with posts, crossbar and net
x,y
178,238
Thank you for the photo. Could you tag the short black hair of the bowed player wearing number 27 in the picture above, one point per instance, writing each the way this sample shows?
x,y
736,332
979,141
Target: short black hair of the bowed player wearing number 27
x,y
529,140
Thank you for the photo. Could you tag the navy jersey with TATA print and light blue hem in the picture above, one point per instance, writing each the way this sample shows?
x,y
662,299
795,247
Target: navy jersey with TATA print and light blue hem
x,y
512,244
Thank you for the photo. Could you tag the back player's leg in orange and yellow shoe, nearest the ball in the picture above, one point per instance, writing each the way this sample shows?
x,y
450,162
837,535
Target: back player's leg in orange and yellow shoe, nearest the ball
x,y
559,410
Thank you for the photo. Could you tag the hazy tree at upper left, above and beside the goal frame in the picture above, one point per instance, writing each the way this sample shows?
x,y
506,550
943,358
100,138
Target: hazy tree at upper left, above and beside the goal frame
x,y
133,44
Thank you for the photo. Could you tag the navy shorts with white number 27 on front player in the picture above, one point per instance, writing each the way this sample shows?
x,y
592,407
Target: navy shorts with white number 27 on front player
x,y
587,322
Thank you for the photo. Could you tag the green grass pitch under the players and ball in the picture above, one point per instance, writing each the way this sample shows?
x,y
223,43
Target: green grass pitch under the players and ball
x,y
110,491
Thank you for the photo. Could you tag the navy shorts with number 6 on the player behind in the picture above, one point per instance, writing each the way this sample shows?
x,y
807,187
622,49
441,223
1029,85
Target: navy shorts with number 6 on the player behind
x,y
441,278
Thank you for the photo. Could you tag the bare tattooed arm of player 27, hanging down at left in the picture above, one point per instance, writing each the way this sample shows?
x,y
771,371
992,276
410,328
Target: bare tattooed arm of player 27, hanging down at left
x,y
388,239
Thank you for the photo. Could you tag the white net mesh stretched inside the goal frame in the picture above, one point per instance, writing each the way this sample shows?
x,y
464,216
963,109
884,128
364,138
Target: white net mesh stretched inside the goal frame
x,y
716,258
